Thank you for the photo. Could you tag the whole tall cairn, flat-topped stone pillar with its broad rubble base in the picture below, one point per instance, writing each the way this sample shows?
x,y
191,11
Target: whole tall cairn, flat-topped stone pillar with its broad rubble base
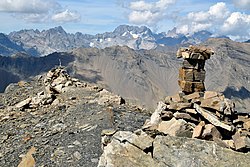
x,y
197,113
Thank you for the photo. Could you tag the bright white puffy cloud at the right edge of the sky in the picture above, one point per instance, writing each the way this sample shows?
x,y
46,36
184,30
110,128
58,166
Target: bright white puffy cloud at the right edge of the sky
x,y
219,20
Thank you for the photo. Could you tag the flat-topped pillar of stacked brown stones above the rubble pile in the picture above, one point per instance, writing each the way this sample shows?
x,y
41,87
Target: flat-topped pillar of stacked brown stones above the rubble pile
x,y
192,73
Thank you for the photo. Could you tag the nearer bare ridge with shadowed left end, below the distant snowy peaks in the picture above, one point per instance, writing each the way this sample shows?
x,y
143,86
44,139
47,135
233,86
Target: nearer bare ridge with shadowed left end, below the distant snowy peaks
x,y
143,76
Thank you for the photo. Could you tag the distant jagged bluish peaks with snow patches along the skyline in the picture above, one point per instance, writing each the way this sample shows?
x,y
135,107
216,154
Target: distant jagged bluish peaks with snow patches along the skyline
x,y
40,43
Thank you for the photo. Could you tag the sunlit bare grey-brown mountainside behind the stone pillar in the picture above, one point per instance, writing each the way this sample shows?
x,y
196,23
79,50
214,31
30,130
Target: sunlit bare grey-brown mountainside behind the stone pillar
x,y
147,76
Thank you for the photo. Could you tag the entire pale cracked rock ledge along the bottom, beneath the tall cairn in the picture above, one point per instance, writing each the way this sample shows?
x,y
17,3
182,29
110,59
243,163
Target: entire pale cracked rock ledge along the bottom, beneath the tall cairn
x,y
169,151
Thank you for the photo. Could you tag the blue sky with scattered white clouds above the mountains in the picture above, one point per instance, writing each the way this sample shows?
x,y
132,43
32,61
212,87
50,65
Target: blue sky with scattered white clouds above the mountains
x,y
226,17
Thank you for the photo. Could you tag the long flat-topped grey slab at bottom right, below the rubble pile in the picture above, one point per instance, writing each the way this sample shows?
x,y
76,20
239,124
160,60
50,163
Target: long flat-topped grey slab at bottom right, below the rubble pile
x,y
175,151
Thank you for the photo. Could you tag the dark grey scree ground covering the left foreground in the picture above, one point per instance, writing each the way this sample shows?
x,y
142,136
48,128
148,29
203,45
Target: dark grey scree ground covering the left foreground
x,y
66,132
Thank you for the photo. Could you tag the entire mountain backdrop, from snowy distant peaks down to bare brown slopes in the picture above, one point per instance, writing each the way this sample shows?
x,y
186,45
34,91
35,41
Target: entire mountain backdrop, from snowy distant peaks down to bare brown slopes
x,y
131,61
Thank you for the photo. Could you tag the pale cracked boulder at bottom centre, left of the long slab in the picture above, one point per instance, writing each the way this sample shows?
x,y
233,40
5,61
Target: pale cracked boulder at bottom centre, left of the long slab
x,y
128,149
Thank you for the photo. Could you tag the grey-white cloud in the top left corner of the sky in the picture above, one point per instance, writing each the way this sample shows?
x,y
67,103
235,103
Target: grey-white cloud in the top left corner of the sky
x,y
38,11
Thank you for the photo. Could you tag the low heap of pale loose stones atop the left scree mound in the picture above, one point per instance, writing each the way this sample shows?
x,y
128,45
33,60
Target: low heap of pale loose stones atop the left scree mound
x,y
57,81
